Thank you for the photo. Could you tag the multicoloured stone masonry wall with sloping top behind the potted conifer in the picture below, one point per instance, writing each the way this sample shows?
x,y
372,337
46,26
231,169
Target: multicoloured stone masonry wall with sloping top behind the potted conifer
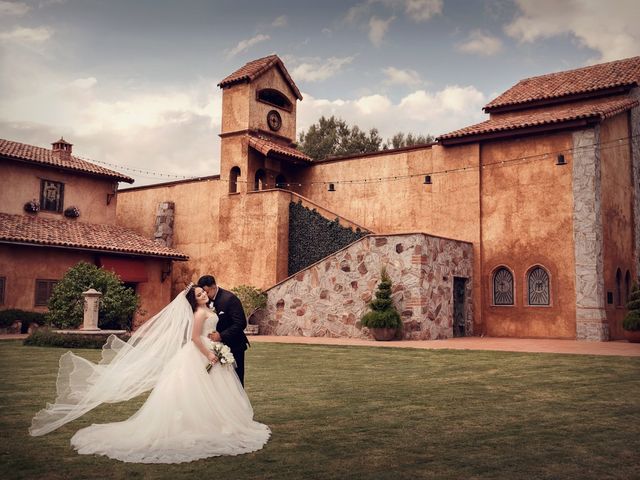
x,y
329,298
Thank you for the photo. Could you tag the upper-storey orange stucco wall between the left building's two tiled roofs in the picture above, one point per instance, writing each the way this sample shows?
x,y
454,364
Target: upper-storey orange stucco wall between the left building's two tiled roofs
x,y
20,182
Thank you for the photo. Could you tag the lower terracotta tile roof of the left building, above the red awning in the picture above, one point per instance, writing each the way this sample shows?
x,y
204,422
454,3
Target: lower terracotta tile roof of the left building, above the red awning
x,y
72,234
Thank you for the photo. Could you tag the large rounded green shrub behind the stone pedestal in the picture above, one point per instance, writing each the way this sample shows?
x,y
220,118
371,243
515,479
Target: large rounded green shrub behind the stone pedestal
x,y
66,305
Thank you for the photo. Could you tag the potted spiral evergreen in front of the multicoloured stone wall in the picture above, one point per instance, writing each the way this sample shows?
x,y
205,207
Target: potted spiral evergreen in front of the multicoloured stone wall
x,y
383,320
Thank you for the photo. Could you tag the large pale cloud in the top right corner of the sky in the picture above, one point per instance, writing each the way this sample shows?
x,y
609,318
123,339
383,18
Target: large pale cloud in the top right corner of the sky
x,y
610,28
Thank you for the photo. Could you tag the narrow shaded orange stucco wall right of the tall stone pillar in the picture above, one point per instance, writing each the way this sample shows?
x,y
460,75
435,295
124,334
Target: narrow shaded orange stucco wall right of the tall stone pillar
x,y
617,211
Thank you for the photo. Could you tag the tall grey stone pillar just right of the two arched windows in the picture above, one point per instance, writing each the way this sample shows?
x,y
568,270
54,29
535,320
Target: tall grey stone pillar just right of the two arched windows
x,y
591,318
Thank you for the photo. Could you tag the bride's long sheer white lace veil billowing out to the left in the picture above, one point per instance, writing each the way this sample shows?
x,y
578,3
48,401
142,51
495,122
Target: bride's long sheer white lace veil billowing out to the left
x,y
125,370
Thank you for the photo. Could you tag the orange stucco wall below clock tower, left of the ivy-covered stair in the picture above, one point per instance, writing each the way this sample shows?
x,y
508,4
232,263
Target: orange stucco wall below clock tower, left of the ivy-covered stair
x,y
238,238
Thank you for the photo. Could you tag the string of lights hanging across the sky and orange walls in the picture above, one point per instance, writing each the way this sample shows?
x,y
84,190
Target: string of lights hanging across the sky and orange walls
x,y
615,143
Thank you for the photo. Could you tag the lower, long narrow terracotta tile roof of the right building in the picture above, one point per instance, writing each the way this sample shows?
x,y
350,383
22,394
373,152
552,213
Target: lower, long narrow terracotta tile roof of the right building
x,y
598,110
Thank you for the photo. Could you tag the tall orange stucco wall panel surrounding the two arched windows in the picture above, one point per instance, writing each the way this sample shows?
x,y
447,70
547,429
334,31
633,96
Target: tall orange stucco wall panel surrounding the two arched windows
x,y
527,220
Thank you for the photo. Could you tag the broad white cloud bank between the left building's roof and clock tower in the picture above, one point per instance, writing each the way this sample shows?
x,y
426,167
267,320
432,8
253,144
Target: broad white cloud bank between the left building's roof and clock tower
x,y
169,129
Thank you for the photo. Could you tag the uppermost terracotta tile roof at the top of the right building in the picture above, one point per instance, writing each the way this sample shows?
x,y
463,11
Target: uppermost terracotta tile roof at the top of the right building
x,y
582,80
